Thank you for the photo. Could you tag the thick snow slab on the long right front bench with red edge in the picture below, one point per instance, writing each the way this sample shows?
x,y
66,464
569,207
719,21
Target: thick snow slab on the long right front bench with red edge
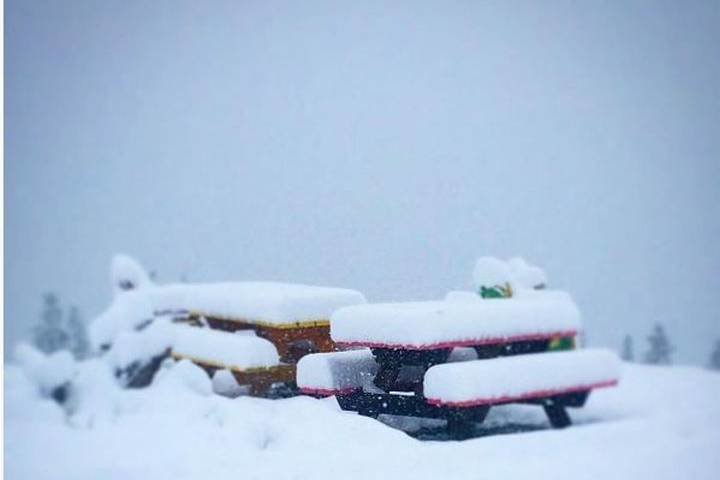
x,y
520,377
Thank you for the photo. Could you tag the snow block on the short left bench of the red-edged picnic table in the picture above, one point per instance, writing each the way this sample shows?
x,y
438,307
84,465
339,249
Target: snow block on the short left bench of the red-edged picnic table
x,y
335,372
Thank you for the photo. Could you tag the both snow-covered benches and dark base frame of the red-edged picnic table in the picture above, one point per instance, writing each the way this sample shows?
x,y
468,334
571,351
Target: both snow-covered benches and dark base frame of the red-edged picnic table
x,y
461,391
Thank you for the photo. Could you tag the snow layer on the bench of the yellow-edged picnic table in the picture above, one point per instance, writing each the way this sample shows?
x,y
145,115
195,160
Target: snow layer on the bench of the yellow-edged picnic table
x,y
222,348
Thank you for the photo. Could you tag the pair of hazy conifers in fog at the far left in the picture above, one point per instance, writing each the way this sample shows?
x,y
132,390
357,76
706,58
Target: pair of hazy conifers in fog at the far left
x,y
54,332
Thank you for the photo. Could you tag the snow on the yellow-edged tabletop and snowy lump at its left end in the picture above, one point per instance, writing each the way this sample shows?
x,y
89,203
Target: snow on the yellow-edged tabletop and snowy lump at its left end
x,y
138,301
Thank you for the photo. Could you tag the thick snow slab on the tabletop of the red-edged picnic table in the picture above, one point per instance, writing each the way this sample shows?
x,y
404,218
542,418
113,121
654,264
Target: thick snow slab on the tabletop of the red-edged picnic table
x,y
421,325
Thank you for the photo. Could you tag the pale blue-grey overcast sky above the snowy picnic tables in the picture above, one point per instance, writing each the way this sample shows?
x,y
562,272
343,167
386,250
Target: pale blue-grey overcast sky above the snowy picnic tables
x,y
376,145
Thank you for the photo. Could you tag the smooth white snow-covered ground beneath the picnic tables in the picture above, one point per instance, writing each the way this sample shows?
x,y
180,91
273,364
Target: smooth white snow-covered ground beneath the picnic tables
x,y
660,423
